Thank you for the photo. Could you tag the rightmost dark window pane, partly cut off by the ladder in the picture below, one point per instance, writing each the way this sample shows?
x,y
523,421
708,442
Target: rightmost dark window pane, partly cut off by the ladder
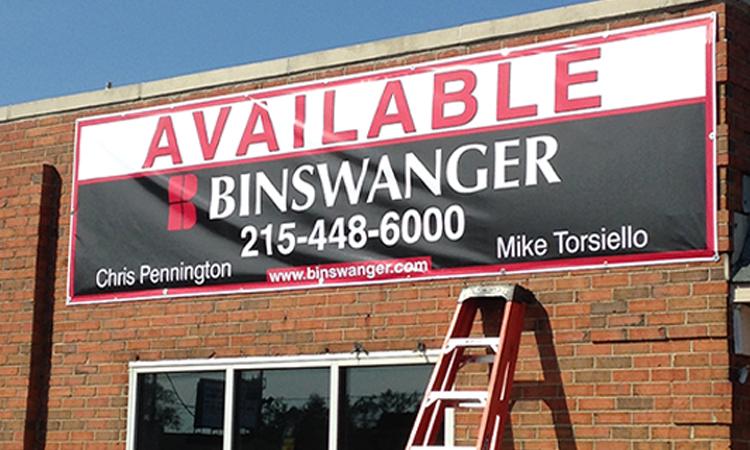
x,y
379,405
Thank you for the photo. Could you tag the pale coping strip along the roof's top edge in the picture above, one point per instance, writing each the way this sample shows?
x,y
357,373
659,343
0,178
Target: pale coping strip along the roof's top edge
x,y
463,34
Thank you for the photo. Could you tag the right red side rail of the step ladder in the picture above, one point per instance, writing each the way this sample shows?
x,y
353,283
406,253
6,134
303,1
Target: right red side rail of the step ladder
x,y
501,378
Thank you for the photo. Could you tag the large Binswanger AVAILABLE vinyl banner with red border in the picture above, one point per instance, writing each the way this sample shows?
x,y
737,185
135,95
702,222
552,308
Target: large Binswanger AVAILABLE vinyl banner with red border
x,y
592,151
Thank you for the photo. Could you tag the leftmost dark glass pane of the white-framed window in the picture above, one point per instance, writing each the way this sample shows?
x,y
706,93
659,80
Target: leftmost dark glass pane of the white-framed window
x,y
180,411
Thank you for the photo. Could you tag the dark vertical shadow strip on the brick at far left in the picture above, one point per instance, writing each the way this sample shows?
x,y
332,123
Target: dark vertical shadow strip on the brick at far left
x,y
44,300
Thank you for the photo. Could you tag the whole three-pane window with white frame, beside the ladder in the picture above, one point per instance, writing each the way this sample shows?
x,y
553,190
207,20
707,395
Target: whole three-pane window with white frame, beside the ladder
x,y
317,402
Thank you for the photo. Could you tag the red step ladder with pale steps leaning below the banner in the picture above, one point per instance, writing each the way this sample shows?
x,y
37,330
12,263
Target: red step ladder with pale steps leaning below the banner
x,y
502,309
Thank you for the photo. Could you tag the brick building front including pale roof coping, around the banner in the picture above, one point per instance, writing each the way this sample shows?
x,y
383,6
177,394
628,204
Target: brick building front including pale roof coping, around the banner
x,y
612,358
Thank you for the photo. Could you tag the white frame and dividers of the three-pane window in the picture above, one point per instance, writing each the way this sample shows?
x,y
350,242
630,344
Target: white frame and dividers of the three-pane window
x,y
229,366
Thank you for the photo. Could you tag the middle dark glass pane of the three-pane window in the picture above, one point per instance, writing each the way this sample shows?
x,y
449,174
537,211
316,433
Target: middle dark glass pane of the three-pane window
x,y
281,409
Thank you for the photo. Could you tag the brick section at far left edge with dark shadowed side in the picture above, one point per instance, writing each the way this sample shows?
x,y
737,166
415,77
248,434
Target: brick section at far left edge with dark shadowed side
x,y
29,201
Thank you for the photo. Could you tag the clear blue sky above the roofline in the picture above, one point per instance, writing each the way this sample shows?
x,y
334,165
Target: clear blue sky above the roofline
x,y
52,48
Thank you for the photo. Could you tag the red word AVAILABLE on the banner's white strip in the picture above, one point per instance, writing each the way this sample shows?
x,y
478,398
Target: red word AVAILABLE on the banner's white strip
x,y
454,104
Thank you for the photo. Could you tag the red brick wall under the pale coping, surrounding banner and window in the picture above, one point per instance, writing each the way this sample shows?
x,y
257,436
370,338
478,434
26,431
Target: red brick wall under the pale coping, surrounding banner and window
x,y
623,358
